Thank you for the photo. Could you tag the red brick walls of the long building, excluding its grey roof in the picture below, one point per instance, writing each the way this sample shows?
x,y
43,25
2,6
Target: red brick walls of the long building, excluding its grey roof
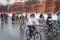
x,y
42,8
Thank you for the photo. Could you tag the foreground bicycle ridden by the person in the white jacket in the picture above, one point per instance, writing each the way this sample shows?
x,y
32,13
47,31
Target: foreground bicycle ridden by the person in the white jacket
x,y
35,34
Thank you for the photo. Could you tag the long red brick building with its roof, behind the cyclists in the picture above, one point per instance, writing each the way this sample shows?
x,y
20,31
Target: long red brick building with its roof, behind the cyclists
x,y
35,6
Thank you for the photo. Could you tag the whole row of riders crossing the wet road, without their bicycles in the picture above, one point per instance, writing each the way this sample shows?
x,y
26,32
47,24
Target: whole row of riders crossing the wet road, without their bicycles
x,y
30,21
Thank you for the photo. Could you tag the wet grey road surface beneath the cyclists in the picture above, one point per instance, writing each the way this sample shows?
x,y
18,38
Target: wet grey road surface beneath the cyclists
x,y
13,32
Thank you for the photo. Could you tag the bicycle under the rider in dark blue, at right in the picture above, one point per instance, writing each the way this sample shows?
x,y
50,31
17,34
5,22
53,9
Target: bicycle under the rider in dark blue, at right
x,y
52,29
